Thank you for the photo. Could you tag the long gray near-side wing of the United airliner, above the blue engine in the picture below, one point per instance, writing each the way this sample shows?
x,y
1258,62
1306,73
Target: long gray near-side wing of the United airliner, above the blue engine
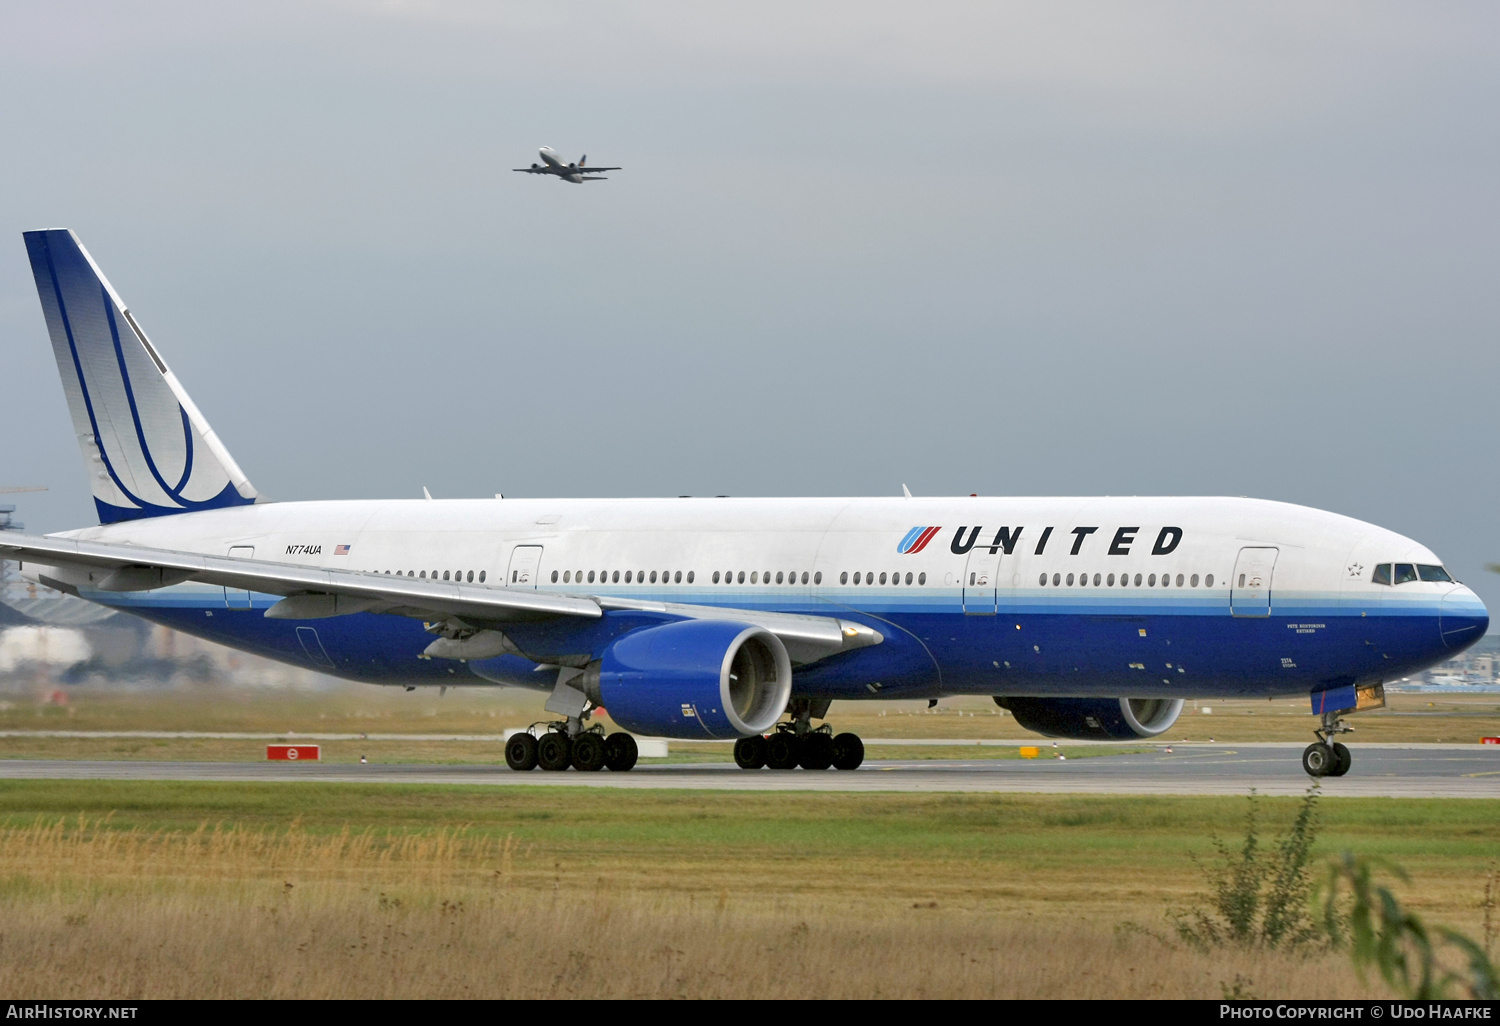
x,y
319,593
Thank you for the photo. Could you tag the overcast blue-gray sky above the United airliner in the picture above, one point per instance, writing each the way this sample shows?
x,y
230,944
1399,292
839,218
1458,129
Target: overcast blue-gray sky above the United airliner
x,y
1000,248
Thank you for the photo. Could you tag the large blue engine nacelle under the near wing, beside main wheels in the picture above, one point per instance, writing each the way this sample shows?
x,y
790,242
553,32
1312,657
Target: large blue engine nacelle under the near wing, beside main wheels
x,y
697,679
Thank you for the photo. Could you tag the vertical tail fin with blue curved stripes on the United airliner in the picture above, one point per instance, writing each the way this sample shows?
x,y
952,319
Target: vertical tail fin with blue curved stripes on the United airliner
x,y
148,449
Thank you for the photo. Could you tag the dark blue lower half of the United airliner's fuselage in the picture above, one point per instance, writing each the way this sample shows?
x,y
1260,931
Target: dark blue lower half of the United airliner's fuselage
x,y
1159,652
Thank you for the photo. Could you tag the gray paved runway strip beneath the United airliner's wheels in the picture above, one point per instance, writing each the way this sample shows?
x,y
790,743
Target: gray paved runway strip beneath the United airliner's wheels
x,y
1271,769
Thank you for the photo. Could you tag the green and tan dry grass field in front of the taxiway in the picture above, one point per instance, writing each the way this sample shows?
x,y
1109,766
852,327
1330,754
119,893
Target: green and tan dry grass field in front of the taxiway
x,y
142,889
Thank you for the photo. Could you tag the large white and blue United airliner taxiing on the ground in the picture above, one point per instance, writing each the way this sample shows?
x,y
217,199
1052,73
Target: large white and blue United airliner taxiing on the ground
x,y
730,617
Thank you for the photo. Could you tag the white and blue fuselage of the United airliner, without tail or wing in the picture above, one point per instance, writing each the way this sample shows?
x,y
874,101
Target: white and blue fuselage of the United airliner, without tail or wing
x,y
1135,598
